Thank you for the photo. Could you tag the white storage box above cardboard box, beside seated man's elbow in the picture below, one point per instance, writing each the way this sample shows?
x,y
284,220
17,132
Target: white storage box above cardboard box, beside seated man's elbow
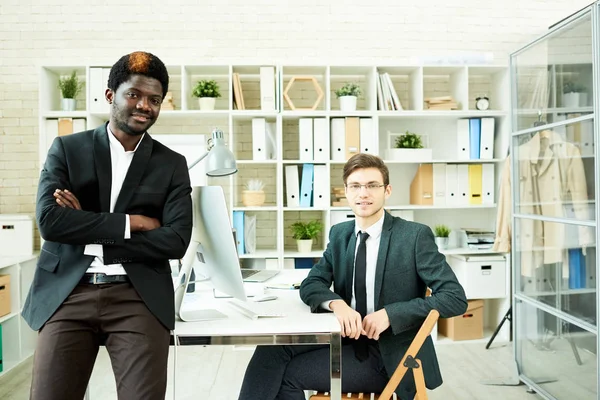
x,y
482,276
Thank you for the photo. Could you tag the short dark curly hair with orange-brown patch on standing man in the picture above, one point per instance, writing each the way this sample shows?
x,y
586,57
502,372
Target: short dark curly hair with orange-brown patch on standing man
x,y
138,63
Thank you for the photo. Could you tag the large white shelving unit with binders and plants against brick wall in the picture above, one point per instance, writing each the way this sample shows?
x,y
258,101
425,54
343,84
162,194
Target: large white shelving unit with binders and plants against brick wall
x,y
413,84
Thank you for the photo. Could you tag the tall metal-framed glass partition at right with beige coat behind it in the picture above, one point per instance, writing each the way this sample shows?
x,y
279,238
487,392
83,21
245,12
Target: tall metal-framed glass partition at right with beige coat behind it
x,y
553,190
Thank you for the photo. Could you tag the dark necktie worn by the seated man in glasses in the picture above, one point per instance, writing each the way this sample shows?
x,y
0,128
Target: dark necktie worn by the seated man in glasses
x,y
361,349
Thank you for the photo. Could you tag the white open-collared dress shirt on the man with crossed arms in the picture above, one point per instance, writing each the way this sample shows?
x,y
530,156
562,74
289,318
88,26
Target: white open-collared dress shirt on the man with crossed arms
x,y
120,161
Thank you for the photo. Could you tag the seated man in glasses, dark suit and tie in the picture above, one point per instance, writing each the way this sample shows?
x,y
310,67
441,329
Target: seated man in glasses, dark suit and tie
x,y
380,267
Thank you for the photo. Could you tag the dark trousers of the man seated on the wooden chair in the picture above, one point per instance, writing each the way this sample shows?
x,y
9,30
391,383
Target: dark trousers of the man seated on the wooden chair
x,y
284,372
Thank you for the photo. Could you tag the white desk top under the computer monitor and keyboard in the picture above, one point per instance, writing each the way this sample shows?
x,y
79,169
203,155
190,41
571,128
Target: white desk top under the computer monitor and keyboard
x,y
298,320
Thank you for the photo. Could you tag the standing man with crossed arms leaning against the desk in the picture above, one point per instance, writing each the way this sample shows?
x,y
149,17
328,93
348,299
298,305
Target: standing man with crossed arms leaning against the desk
x,y
113,207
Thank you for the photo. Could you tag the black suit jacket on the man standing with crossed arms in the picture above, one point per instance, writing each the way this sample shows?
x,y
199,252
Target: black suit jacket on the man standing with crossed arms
x,y
157,185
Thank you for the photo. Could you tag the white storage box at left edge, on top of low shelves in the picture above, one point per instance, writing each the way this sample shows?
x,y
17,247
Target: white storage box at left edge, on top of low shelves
x,y
16,235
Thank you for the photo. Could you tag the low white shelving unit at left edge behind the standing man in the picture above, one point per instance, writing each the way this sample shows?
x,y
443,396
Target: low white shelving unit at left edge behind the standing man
x,y
18,340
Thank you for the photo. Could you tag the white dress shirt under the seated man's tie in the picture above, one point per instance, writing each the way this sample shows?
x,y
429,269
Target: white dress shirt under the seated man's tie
x,y
372,244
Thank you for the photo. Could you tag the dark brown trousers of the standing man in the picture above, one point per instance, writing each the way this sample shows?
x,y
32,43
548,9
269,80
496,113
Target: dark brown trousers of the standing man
x,y
109,314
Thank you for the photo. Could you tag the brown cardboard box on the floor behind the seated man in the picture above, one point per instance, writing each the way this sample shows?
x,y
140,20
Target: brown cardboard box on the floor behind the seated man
x,y
468,326
